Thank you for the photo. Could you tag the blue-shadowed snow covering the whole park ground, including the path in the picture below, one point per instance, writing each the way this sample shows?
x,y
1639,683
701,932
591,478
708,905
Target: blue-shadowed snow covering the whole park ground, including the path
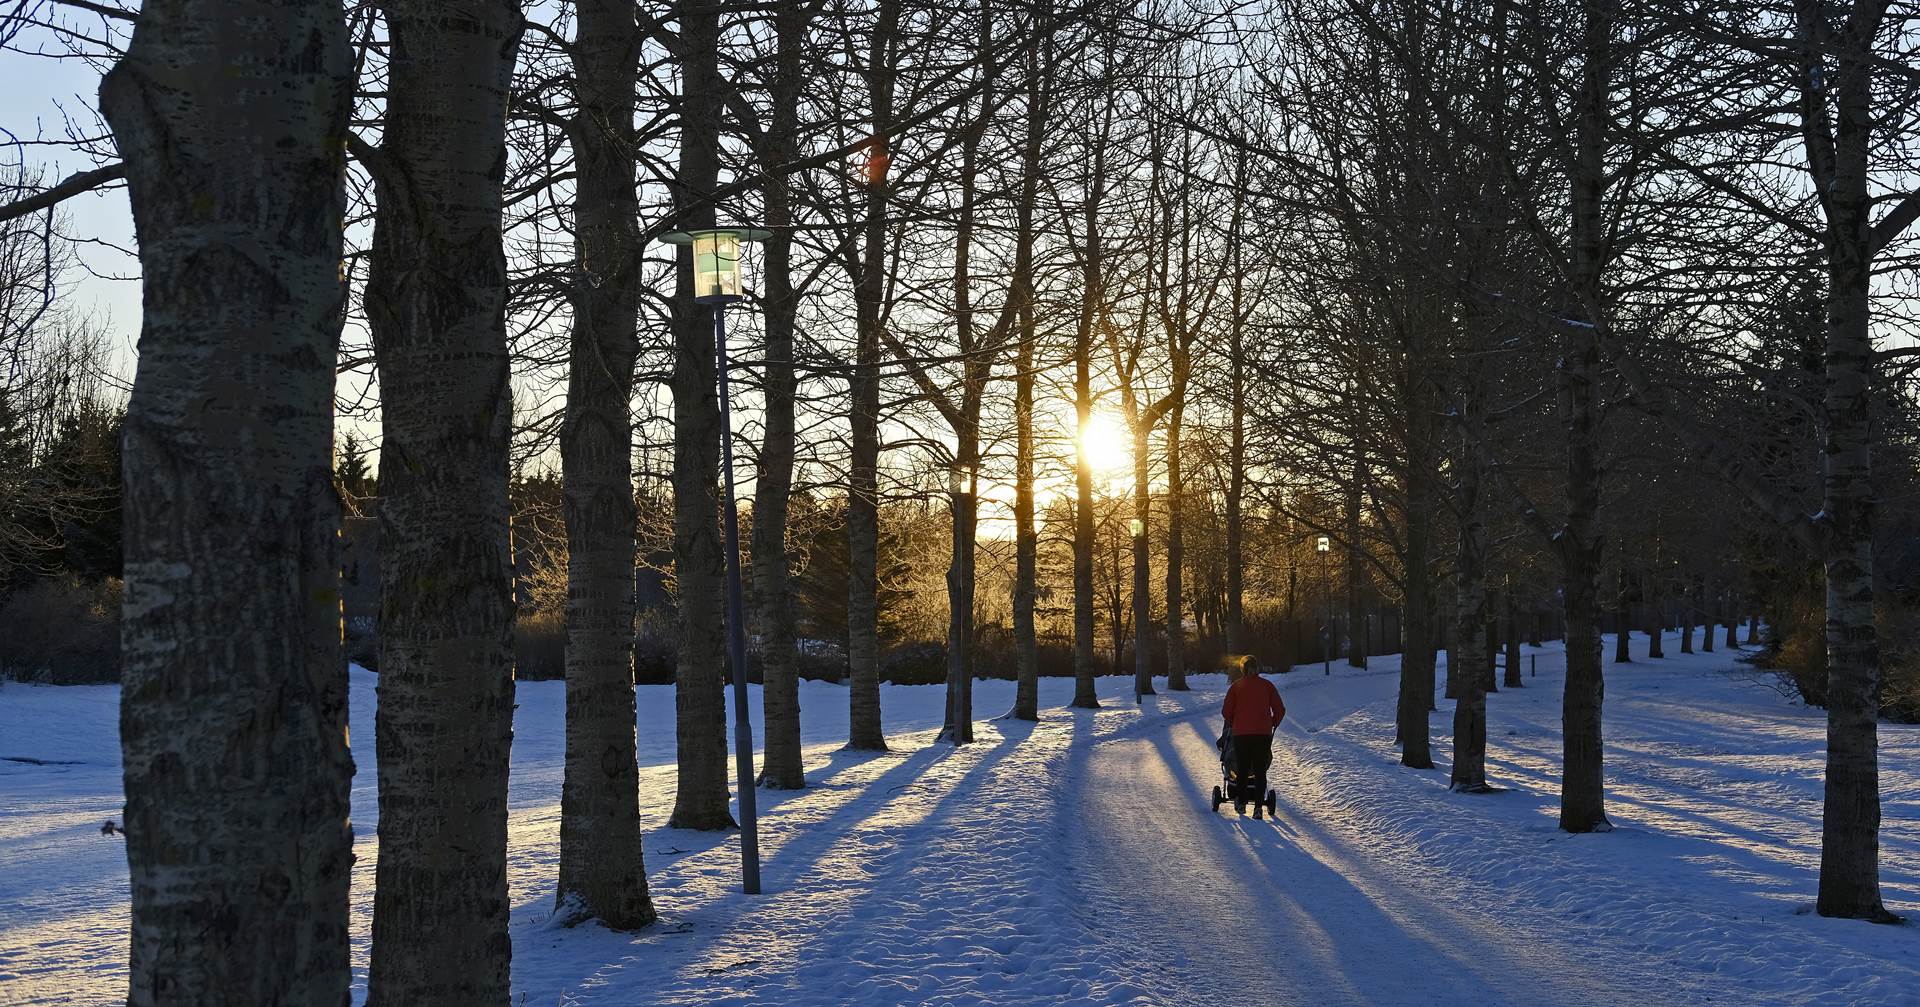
x,y
1078,862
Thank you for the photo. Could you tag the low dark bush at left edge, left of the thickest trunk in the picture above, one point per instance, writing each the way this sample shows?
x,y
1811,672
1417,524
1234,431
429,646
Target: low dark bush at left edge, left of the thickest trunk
x,y
62,631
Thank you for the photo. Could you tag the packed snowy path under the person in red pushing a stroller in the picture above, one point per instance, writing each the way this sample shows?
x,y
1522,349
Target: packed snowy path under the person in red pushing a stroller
x,y
1226,904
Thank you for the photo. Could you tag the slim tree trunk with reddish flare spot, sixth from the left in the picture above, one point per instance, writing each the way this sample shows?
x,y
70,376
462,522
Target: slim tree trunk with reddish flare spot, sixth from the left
x,y
863,474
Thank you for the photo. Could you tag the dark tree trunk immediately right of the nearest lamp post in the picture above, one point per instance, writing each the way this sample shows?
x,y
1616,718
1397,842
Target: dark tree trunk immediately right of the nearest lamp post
x,y
780,675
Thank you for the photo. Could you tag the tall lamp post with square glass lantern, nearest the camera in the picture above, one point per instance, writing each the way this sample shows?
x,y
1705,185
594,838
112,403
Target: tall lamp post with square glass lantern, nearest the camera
x,y
717,283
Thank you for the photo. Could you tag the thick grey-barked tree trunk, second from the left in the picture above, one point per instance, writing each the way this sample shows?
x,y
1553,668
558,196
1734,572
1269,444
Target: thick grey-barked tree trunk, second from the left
x,y
437,299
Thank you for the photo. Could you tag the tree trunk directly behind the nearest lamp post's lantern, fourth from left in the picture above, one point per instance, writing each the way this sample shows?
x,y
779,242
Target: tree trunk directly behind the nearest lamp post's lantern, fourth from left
x,y
700,560
